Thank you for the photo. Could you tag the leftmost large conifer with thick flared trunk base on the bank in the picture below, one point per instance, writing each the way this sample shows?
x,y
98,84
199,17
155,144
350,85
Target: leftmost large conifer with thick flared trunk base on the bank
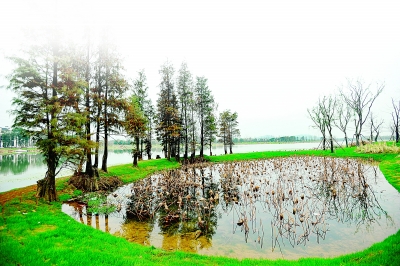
x,y
48,92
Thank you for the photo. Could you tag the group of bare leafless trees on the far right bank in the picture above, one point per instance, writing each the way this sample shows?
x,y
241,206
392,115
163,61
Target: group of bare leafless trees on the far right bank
x,y
353,104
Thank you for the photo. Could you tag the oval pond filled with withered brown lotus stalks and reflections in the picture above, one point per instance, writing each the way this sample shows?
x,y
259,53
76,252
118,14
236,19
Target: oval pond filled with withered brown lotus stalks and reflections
x,y
276,208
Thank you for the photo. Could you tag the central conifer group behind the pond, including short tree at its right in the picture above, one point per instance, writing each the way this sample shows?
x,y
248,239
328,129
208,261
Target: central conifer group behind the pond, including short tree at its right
x,y
186,115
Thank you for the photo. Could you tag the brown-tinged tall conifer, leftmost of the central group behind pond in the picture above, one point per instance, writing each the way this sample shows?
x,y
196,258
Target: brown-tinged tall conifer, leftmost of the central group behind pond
x,y
168,122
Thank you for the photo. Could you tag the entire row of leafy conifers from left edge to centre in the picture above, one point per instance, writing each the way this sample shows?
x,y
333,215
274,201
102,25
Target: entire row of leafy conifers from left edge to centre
x,y
70,98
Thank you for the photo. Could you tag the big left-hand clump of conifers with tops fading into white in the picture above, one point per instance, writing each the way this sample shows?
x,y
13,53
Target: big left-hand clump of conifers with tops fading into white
x,y
67,95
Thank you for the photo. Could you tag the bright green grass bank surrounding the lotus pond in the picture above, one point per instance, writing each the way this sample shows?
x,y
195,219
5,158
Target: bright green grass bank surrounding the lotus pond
x,y
40,234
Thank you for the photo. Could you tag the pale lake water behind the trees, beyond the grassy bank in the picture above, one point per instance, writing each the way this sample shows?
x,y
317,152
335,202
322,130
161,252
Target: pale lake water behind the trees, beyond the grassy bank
x,y
22,169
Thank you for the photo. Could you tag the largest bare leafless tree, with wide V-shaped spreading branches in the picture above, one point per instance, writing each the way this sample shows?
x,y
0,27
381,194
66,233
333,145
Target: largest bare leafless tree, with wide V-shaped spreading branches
x,y
360,99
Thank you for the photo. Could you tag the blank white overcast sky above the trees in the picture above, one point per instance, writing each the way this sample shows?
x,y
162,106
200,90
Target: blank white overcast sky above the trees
x,y
267,60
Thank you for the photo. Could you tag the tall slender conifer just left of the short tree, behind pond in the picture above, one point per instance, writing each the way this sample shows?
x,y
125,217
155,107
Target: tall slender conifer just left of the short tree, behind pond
x,y
205,105
